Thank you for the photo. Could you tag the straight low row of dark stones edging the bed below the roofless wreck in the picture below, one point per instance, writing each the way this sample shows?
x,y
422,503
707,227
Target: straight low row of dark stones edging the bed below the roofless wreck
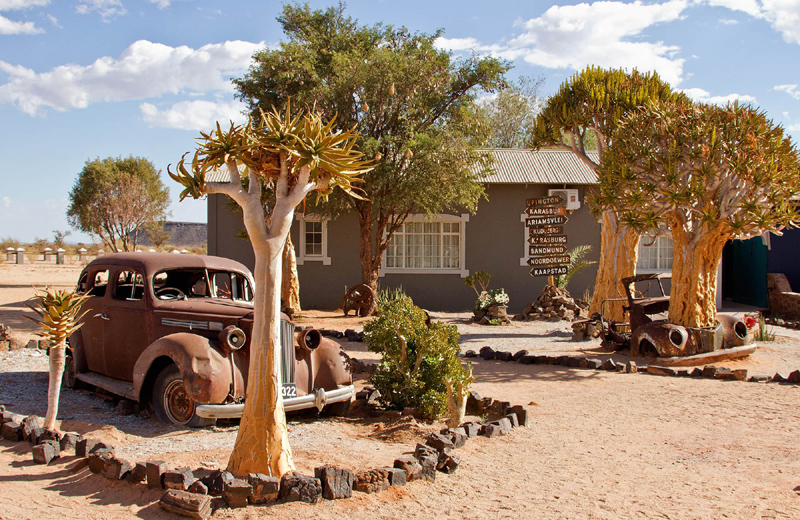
x,y
708,371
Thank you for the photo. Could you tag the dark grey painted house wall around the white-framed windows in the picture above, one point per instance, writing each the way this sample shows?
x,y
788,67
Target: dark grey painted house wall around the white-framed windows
x,y
494,242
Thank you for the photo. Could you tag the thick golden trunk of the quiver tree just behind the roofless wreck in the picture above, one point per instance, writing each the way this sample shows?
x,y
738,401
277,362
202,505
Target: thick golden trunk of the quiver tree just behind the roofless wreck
x,y
618,254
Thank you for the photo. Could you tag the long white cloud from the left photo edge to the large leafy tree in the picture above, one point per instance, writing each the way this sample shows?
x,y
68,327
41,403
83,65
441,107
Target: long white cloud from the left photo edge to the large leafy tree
x,y
143,70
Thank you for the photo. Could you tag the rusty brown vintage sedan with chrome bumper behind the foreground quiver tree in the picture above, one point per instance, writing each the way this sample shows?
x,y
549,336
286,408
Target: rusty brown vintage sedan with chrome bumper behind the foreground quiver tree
x,y
174,330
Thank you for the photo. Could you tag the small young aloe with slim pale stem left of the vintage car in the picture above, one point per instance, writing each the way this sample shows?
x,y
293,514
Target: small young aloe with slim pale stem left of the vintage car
x,y
58,316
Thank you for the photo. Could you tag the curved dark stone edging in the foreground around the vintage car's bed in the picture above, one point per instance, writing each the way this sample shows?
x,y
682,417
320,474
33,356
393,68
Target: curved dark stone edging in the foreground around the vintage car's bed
x,y
190,496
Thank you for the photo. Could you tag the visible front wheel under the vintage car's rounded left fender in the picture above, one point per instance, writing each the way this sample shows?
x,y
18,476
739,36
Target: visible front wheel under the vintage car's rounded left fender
x,y
171,403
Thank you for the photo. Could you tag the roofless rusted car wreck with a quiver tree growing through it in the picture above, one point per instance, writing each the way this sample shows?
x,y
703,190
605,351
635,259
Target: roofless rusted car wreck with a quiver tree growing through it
x,y
648,333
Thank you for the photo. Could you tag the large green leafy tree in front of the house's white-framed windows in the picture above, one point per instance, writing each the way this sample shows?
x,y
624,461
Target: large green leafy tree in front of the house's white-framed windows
x,y
412,105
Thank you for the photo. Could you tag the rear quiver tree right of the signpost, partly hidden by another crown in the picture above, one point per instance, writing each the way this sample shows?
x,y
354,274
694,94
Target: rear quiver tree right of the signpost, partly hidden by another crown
x,y
587,109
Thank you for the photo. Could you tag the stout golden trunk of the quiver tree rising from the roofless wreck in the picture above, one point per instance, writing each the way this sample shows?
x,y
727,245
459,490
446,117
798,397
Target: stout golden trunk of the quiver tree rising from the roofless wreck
x,y
693,298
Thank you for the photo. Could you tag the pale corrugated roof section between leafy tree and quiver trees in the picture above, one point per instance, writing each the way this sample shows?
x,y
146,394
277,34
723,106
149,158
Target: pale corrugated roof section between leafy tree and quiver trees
x,y
548,166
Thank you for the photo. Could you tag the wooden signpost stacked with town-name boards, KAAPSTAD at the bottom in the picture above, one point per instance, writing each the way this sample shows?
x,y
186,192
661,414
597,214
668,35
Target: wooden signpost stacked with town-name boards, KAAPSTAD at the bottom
x,y
547,245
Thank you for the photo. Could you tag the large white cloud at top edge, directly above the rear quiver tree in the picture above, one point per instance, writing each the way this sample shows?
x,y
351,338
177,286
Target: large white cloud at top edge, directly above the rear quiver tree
x,y
605,33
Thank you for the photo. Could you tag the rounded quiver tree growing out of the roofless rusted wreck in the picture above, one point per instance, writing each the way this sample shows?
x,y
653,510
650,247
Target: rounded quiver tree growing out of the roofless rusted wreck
x,y
709,174
